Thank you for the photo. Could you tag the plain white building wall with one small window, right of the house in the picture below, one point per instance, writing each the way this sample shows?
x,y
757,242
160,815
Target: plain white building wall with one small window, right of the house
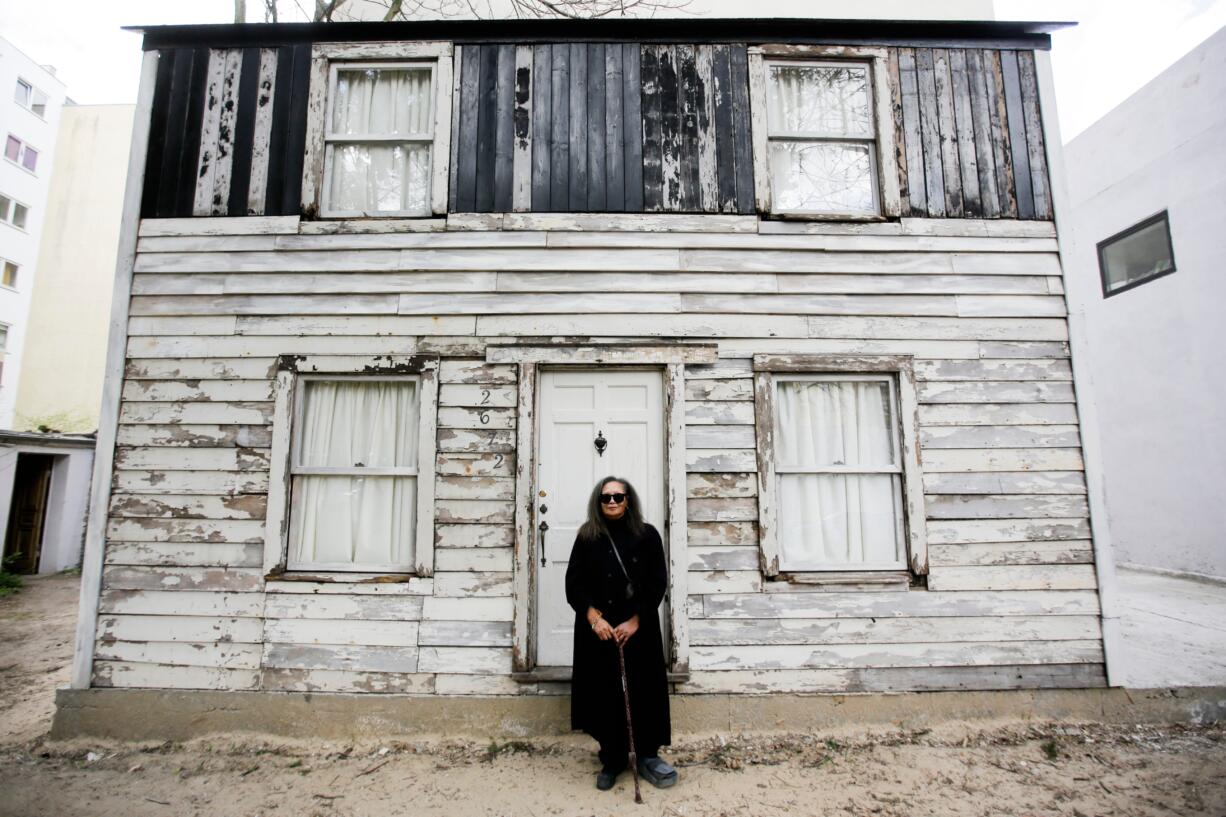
x,y
1147,186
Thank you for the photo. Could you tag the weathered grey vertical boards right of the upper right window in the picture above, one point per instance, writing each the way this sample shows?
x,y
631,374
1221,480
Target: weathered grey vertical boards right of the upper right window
x,y
973,144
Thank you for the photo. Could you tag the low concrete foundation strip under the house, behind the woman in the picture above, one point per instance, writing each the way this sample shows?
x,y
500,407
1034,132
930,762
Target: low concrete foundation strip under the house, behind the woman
x,y
177,716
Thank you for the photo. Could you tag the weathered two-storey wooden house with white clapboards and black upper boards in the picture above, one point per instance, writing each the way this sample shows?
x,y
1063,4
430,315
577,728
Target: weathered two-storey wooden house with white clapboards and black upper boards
x,y
393,297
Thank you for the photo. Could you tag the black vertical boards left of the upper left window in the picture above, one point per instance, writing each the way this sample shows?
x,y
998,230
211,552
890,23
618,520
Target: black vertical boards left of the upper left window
x,y
173,166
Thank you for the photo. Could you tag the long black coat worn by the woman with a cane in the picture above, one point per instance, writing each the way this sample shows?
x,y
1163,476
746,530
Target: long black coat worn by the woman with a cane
x,y
594,580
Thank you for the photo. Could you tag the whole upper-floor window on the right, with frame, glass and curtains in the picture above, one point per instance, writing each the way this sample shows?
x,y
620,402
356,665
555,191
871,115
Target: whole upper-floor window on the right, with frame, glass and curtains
x,y
823,133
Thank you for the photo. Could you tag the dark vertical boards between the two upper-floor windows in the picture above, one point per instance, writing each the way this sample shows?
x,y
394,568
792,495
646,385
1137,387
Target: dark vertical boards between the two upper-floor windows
x,y
609,127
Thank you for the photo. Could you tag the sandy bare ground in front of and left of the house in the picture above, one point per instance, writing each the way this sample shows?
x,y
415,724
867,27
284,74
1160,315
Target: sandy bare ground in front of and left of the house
x,y
1024,770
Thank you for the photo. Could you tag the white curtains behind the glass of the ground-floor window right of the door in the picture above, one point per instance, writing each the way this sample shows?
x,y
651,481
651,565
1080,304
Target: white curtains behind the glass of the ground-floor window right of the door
x,y
837,520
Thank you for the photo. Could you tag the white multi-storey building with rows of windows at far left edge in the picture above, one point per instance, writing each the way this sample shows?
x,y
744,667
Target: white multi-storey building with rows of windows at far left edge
x,y
31,101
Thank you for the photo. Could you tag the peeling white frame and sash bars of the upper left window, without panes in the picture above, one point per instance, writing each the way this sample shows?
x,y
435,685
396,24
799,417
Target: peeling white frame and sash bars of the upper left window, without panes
x,y
327,58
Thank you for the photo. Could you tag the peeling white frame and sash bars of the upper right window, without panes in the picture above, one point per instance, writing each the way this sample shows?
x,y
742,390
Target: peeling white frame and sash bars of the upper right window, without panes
x,y
885,163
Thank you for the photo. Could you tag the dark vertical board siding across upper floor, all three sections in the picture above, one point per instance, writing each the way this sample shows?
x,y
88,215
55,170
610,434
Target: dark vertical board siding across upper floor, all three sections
x,y
614,128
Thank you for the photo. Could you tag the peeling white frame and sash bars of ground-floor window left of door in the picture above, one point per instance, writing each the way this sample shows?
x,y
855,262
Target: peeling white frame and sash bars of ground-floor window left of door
x,y
294,372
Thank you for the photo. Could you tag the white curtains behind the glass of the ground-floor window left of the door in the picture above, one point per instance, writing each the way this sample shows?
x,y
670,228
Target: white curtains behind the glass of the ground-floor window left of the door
x,y
356,520
